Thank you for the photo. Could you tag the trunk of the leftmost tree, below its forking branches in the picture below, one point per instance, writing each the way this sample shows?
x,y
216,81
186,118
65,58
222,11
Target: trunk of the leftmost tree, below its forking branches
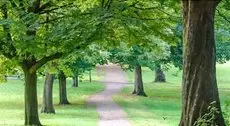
x,y
31,102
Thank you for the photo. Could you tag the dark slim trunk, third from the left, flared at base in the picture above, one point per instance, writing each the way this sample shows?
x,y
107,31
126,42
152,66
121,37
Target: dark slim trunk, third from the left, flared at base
x,y
62,89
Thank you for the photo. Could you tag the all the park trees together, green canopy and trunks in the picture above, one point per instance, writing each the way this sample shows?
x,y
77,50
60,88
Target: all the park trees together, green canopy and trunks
x,y
71,37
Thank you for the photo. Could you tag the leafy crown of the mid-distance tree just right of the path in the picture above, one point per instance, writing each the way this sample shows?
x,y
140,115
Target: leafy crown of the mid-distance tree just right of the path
x,y
129,57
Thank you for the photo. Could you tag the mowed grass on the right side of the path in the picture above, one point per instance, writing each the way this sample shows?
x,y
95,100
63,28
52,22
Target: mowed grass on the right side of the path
x,y
162,107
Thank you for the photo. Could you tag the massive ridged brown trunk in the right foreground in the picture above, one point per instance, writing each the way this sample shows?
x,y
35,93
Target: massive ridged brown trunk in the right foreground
x,y
199,65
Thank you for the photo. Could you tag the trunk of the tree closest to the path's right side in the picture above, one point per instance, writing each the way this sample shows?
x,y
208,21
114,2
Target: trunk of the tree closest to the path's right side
x,y
138,83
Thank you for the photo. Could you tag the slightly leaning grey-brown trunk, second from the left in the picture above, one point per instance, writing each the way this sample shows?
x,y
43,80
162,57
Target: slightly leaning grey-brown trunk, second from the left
x,y
47,103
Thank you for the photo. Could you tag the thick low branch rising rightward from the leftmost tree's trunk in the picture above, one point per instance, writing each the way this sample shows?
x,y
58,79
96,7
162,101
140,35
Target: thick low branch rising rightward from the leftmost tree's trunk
x,y
44,60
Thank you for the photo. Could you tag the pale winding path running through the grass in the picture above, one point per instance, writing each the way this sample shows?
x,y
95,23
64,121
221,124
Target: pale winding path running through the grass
x,y
110,113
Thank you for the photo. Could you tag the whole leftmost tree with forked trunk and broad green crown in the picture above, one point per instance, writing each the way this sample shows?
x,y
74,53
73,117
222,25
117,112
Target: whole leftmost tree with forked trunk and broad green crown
x,y
36,32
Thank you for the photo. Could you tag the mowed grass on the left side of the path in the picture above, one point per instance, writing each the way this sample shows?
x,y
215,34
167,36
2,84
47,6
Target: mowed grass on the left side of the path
x,y
75,114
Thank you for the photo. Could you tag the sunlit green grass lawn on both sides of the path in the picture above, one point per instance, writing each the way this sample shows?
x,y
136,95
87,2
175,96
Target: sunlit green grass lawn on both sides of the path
x,y
162,107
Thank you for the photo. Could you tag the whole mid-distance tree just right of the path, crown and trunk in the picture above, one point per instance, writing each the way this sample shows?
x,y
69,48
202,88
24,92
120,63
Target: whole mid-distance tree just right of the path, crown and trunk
x,y
135,57
